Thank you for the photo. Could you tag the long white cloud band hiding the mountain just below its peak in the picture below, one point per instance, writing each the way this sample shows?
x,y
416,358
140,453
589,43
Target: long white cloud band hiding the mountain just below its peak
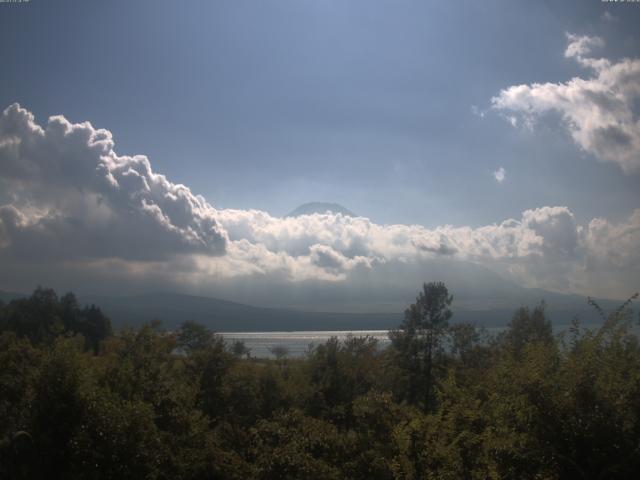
x,y
546,248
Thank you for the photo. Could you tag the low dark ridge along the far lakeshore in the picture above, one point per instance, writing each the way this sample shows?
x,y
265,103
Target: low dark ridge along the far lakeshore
x,y
222,315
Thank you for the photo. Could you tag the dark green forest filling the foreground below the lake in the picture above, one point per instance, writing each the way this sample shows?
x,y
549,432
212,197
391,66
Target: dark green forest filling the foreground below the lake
x,y
445,400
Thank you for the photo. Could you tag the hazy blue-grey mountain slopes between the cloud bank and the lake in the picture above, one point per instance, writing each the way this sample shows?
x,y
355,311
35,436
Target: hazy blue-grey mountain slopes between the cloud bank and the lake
x,y
485,305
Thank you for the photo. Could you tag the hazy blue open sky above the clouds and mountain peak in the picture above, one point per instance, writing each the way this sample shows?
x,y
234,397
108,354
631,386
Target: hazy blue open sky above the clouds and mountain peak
x,y
382,106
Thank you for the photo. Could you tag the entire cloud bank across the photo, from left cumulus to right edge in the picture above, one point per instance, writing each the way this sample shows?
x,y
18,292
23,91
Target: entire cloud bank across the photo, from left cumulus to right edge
x,y
70,204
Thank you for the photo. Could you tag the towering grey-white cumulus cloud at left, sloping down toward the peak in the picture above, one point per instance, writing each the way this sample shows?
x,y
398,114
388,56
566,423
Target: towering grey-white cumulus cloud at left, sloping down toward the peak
x,y
71,195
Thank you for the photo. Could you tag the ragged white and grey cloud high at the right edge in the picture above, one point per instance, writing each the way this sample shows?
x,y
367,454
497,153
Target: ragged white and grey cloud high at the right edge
x,y
600,111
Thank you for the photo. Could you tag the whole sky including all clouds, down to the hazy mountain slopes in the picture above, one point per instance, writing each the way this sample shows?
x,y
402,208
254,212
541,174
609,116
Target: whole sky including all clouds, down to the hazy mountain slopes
x,y
158,145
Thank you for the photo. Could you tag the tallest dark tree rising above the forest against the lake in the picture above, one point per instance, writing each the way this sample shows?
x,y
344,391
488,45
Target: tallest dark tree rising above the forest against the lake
x,y
418,342
